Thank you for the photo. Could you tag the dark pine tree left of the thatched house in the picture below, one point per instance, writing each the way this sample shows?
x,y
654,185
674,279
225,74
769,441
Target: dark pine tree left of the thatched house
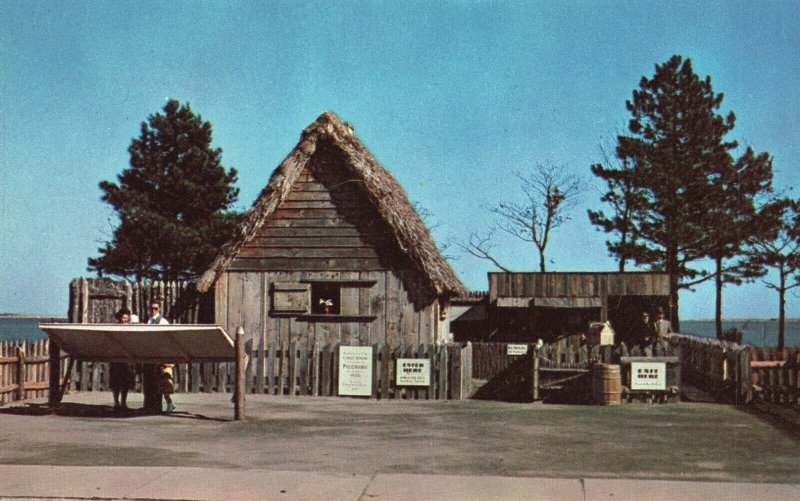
x,y
173,201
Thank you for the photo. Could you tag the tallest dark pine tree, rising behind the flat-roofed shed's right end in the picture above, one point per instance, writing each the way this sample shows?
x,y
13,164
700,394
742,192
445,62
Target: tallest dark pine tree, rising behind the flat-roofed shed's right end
x,y
675,152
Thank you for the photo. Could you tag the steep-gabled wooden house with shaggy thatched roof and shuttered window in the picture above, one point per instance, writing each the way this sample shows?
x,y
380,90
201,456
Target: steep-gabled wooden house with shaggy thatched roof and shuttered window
x,y
332,252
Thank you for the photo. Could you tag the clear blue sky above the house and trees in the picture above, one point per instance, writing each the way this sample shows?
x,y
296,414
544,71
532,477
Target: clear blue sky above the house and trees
x,y
452,97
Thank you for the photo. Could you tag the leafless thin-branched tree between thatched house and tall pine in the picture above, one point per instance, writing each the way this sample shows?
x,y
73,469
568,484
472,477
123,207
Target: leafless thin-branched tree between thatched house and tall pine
x,y
549,193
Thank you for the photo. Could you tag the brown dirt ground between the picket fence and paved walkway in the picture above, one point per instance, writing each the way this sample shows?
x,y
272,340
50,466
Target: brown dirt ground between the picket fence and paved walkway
x,y
684,441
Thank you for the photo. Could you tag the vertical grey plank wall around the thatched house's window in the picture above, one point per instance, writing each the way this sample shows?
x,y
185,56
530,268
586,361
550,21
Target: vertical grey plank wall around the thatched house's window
x,y
378,313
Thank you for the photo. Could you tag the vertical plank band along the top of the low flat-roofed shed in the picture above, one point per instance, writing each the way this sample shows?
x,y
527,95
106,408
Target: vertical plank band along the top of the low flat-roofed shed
x,y
577,284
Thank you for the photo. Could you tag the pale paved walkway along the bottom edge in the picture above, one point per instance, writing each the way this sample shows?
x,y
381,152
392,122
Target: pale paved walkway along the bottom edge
x,y
184,483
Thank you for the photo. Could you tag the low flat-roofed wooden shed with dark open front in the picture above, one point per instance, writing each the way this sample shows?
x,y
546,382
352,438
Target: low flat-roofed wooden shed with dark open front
x,y
529,306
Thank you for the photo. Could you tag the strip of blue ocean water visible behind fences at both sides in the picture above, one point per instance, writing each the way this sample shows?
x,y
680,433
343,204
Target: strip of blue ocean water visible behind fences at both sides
x,y
755,332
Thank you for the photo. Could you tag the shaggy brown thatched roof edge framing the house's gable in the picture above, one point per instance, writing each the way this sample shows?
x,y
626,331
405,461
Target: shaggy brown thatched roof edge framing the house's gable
x,y
409,233
